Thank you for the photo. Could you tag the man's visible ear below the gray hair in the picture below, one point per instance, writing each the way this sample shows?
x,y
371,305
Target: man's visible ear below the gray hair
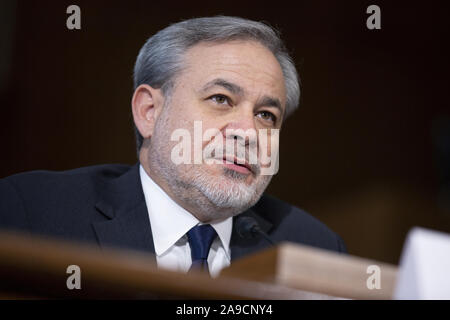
x,y
146,105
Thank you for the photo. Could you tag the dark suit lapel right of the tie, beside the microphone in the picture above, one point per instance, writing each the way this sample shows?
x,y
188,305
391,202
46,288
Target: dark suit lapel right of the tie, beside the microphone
x,y
242,246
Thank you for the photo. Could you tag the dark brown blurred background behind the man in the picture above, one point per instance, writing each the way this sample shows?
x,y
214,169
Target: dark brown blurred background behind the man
x,y
366,153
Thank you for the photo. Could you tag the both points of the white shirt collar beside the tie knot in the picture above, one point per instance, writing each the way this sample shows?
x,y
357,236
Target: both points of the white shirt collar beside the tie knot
x,y
170,222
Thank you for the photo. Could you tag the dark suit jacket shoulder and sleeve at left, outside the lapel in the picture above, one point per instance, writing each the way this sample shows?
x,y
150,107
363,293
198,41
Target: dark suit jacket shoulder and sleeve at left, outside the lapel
x,y
50,201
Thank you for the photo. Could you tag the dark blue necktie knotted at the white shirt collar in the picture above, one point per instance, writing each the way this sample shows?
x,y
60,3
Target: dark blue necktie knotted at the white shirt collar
x,y
200,240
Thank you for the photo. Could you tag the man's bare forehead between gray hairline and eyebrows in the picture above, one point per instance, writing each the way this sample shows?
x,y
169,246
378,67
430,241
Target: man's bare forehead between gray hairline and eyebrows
x,y
246,63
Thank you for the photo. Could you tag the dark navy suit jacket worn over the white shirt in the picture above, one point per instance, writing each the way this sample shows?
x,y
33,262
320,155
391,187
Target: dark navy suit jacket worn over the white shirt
x,y
105,205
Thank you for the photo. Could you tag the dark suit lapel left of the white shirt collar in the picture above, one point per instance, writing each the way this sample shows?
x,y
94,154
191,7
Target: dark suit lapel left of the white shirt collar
x,y
122,202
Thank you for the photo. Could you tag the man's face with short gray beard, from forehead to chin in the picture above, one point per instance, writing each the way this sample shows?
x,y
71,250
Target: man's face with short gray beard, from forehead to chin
x,y
233,85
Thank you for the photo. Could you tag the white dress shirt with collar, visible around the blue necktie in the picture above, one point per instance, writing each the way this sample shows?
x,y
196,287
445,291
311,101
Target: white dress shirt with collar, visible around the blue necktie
x,y
170,223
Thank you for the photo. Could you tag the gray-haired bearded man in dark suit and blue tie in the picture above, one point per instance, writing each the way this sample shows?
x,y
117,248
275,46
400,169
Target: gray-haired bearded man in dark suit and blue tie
x,y
227,74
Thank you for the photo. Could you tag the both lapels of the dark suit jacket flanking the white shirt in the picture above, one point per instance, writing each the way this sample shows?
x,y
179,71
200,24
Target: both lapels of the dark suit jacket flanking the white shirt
x,y
122,202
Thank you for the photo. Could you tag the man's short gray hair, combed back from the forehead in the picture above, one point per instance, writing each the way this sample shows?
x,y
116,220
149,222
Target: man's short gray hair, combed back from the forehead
x,y
160,60
